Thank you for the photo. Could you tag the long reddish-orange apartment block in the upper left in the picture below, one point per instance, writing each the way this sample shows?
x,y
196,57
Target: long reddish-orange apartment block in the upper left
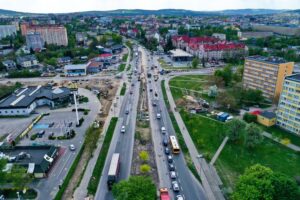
x,y
51,34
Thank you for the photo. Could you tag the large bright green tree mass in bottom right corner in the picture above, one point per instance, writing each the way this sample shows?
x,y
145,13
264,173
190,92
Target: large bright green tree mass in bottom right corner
x,y
260,182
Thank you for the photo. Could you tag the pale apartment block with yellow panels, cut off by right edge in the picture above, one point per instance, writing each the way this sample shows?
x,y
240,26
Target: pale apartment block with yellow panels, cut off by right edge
x,y
288,113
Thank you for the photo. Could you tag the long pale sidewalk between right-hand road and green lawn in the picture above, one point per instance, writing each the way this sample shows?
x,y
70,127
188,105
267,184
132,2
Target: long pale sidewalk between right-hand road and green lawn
x,y
208,176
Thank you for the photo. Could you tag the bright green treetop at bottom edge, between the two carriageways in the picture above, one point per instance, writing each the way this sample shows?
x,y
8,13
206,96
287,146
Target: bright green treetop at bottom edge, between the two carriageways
x,y
136,188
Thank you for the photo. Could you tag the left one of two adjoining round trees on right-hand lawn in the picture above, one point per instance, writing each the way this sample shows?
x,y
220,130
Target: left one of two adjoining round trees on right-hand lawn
x,y
235,129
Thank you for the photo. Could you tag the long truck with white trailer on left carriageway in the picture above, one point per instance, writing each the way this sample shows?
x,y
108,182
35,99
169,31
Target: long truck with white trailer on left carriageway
x,y
113,171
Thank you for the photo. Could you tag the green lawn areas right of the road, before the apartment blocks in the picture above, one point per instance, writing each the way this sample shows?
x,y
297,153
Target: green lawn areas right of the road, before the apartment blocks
x,y
208,134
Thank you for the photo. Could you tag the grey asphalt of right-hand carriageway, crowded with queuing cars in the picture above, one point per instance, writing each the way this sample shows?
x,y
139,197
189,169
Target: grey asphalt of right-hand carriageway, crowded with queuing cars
x,y
190,188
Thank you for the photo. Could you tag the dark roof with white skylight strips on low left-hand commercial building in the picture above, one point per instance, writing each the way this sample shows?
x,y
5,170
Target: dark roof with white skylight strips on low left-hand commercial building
x,y
23,97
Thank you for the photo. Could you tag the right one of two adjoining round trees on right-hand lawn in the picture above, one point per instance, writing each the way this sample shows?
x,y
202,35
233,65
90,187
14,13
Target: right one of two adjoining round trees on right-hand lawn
x,y
253,135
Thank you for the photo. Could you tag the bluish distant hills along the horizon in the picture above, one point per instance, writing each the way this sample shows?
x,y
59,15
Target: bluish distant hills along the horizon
x,y
168,12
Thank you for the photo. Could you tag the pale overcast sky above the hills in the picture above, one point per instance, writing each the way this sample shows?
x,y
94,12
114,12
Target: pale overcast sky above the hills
x,y
58,6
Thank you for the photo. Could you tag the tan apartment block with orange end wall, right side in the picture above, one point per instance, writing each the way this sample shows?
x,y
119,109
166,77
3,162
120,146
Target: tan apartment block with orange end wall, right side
x,y
266,74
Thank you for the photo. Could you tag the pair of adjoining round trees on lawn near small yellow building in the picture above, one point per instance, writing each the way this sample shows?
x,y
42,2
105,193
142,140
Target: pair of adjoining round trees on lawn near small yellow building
x,y
239,131
